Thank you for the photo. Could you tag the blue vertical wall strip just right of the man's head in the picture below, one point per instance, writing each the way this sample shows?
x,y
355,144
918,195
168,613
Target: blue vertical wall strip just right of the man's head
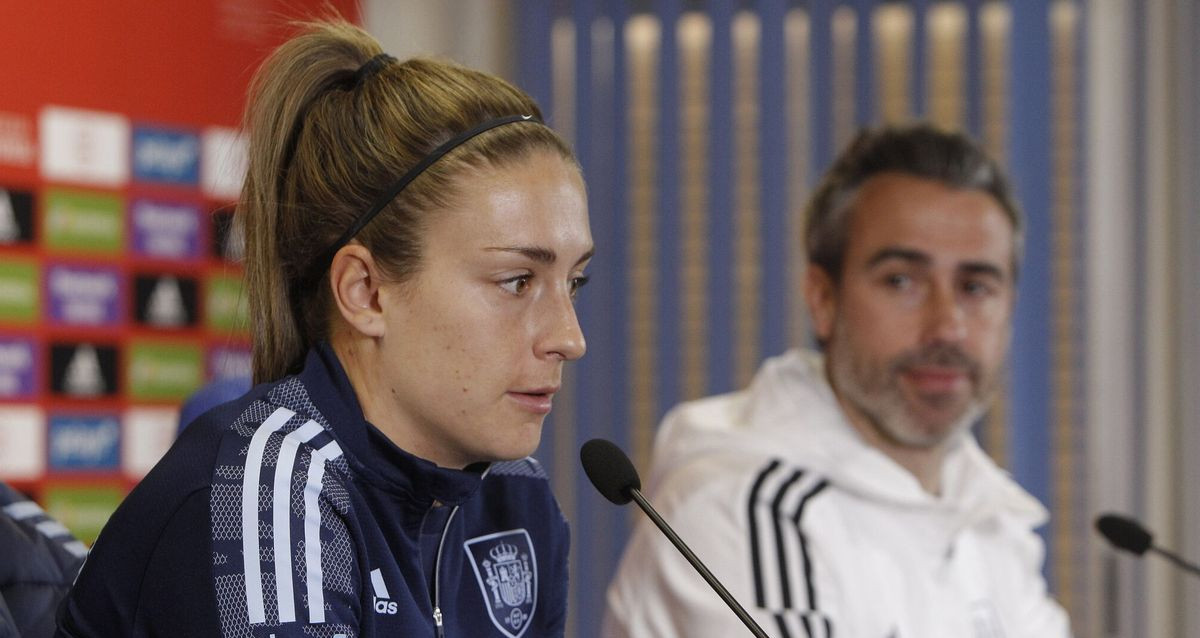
x,y
1030,168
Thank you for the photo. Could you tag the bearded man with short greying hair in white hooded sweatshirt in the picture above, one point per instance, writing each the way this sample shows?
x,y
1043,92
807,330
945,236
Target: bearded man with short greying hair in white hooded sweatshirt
x,y
843,495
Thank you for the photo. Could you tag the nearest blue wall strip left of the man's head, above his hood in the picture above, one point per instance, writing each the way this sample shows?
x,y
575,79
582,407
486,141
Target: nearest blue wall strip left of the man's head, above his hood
x,y
773,139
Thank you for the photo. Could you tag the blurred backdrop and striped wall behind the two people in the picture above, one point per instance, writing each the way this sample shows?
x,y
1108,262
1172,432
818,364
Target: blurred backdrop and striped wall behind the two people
x,y
701,128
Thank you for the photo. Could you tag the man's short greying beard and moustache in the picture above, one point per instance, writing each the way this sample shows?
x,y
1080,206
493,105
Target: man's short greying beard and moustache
x,y
874,389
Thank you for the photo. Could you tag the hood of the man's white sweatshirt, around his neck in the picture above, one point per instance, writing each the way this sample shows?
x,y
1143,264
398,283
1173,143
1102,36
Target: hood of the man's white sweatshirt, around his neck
x,y
790,412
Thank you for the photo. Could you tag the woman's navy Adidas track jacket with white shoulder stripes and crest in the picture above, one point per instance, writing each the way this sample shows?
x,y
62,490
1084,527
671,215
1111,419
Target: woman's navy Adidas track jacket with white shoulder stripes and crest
x,y
285,514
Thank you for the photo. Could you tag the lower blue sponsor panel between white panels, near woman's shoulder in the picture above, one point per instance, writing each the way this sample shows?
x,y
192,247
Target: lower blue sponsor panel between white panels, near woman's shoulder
x,y
85,443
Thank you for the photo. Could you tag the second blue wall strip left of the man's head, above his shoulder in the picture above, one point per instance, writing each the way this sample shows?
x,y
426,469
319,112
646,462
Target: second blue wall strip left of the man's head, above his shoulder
x,y
722,203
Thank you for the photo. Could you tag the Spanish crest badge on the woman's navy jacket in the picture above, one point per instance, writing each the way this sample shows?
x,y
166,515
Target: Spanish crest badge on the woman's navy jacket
x,y
507,571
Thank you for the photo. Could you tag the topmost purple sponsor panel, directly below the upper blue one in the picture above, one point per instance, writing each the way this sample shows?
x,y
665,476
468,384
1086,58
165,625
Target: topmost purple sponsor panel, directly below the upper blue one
x,y
166,230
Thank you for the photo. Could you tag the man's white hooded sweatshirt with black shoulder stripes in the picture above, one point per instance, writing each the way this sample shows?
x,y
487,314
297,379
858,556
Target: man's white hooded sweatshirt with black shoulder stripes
x,y
820,535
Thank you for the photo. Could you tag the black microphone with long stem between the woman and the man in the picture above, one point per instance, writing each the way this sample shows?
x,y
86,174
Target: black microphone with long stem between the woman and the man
x,y
615,477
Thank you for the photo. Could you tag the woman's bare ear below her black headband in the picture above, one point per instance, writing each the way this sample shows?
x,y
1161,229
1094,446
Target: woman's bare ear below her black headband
x,y
355,281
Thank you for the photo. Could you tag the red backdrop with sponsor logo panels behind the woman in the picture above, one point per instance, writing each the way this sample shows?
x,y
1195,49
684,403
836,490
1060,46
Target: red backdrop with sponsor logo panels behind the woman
x,y
118,170
